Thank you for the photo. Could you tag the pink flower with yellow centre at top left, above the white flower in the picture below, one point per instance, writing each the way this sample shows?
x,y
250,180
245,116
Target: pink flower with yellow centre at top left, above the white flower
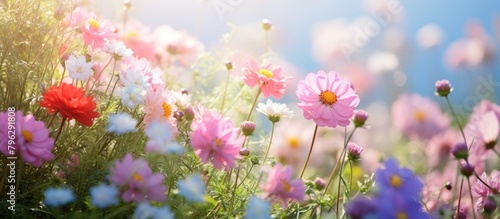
x,y
97,33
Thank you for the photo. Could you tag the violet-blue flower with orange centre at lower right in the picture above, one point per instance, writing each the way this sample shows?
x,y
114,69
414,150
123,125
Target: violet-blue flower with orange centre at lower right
x,y
401,180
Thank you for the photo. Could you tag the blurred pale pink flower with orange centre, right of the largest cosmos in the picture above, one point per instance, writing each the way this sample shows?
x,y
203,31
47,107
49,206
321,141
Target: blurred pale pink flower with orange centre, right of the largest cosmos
x,y
418,117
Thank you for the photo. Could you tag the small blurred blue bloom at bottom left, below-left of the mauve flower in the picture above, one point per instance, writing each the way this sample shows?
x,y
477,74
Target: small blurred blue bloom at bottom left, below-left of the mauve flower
x,y
103,195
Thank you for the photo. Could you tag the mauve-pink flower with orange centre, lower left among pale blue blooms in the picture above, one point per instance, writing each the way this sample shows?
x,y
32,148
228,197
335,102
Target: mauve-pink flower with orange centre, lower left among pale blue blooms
x,y
137,180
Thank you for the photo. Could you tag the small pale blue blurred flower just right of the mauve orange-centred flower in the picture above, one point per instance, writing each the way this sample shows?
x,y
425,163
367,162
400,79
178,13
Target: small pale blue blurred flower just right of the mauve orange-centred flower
x,y
192,188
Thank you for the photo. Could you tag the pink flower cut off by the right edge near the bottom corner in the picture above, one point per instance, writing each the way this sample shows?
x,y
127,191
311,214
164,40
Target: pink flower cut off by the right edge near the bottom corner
x,y
481,191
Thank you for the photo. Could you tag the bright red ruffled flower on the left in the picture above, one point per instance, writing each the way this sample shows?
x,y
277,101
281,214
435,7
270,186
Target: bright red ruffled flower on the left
x,y
70,102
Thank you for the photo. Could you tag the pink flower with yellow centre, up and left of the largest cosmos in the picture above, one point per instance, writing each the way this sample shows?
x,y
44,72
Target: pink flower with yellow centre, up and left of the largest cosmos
x,y
266,77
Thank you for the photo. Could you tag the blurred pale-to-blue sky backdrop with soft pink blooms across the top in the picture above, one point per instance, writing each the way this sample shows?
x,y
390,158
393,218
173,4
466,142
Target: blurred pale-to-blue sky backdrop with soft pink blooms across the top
x,y
386,47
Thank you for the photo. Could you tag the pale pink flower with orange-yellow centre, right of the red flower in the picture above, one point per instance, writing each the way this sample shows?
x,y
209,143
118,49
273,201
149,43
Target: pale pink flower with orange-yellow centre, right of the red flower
x,y
159,106
